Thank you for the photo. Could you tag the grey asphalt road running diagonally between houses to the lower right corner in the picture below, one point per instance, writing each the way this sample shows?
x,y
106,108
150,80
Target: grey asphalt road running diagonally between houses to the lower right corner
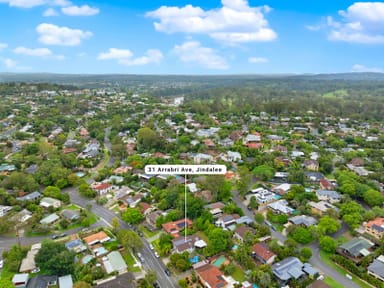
x,y
315,260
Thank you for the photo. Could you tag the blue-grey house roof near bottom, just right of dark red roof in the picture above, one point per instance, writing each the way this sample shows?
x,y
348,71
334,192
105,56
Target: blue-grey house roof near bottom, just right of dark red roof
x,y
288,268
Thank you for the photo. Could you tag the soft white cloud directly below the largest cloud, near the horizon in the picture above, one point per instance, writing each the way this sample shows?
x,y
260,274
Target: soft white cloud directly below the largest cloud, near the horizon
x,y
193,52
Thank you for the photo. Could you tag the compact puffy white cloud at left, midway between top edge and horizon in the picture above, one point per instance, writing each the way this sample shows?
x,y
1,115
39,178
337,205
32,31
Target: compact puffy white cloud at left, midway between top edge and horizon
x,y
55,35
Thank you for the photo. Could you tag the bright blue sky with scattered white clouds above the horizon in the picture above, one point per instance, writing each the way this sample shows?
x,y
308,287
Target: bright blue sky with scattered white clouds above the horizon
x,y
191,37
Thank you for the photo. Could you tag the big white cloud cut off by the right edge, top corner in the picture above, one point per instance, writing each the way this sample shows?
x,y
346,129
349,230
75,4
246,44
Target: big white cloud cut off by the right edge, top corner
x,y
361,22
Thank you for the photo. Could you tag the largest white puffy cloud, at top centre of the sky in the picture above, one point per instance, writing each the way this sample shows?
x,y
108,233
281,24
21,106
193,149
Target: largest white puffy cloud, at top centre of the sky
x,y
235,22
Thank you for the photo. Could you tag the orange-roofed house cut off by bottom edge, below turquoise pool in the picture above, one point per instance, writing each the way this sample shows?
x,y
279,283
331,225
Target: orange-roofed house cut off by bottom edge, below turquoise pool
x,y
210,275
